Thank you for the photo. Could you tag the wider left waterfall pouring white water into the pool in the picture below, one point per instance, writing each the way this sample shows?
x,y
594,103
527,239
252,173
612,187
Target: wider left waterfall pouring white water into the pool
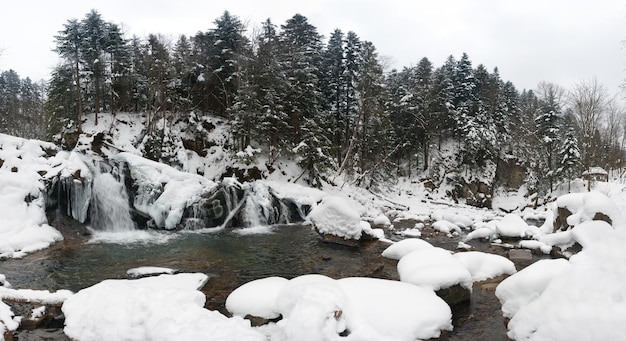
x,y
109,205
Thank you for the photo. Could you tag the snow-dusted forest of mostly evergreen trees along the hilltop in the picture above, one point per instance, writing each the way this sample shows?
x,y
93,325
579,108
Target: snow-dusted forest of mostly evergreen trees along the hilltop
x,y
330,102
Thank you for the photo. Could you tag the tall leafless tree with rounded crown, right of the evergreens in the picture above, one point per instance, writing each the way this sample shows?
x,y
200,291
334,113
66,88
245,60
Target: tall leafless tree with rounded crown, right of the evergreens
x,y
589,102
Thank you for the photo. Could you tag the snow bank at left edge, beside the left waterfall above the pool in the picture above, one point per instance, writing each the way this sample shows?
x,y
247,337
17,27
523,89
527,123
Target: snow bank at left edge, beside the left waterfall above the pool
x,y
23,227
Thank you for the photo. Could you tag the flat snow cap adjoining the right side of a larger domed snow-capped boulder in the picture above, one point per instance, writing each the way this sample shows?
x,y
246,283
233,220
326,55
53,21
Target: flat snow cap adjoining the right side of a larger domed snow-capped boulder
x,y
483,266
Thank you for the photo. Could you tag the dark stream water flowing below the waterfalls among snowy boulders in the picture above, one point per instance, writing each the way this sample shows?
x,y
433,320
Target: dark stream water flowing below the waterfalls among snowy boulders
x,y
230,258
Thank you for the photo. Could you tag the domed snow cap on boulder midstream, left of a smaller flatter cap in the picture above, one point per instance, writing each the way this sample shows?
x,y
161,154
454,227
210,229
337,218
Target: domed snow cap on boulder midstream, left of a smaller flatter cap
x,y
433,268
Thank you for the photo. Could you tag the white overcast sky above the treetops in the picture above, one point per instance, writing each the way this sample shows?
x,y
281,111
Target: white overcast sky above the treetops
x,y
559,41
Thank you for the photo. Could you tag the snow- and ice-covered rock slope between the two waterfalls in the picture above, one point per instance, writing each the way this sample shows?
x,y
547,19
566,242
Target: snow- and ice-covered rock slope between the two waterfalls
x,y
163,192
